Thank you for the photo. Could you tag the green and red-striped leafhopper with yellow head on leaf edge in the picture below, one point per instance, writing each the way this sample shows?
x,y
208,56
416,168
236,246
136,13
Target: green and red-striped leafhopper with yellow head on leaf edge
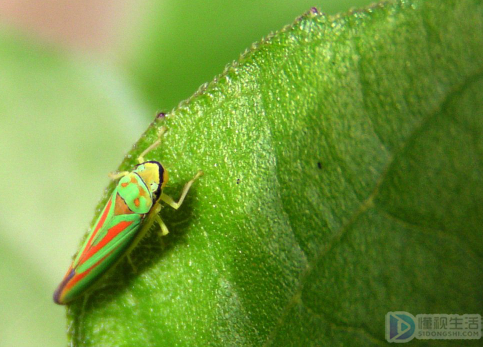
x,y
129,213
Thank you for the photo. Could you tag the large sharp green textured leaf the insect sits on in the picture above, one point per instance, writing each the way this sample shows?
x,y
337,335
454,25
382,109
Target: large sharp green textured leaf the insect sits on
x,y
343,179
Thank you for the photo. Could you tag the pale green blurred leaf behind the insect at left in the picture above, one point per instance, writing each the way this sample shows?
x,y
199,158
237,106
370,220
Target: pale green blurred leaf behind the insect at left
x,y
64,123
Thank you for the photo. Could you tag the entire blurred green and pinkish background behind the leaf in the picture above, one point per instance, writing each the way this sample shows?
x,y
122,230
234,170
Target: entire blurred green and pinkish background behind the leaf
x,y
79,82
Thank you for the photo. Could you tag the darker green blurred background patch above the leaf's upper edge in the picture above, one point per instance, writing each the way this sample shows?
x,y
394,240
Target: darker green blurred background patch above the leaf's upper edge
x,y
180,45
